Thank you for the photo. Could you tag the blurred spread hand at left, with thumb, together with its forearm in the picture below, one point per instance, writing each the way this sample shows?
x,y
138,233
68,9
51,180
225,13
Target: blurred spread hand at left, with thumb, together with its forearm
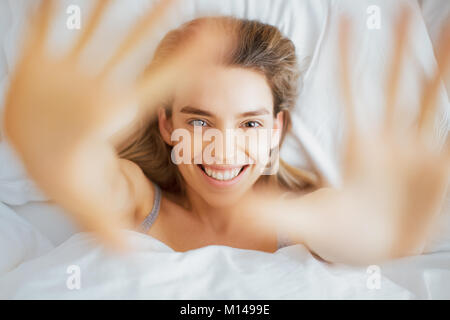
x,y
58,117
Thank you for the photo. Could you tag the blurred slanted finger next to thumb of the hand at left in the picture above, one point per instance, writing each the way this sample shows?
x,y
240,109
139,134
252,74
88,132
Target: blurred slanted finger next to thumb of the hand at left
x,y
146,23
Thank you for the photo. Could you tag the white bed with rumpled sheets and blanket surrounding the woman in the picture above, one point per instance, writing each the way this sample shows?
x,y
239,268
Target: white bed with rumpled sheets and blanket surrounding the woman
x,y
41,248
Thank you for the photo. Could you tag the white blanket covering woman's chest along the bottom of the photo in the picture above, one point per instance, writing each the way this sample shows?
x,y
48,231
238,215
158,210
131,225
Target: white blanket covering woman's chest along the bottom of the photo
x,y
80,269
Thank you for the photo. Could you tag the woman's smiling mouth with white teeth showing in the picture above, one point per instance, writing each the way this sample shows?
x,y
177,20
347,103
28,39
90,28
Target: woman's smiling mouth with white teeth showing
x,y
222,176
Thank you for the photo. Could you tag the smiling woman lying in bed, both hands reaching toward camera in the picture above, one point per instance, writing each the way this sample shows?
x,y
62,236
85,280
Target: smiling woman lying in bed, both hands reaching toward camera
x,y
215,73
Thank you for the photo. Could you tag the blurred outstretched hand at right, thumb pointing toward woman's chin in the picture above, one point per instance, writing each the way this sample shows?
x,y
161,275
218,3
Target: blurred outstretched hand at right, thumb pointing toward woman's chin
x,y
394,179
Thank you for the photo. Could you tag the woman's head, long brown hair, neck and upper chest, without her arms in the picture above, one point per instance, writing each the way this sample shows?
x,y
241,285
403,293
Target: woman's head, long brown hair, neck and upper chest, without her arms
x,y
249,85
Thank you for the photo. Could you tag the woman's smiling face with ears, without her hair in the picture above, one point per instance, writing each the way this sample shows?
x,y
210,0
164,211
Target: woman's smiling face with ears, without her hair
x,y
225,116
